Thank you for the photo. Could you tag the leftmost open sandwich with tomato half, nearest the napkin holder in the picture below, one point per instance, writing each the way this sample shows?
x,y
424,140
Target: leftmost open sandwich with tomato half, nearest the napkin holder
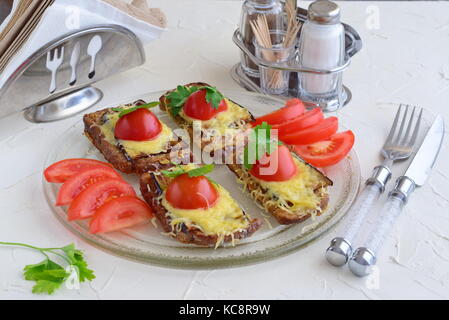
x,y
132,138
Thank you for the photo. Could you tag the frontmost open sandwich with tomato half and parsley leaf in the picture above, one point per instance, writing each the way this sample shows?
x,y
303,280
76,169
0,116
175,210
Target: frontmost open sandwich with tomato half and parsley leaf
x,y
193,209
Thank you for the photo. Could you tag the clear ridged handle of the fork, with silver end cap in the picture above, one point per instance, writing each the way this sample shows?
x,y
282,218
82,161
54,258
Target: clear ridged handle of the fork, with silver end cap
x,y
340,249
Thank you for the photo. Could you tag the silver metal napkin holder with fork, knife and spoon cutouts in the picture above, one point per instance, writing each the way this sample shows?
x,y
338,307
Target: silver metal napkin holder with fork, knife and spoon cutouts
x,y
56,81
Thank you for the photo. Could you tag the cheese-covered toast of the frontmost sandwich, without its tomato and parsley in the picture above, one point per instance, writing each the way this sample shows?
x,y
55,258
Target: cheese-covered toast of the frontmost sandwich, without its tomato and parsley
x,y
224,222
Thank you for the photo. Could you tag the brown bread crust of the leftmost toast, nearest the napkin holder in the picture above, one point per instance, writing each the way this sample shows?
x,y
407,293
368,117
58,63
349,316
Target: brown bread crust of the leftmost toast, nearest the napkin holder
x,y
117,156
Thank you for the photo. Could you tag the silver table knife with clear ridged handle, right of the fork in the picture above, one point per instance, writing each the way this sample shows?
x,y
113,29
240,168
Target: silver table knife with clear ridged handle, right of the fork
x,y
365,257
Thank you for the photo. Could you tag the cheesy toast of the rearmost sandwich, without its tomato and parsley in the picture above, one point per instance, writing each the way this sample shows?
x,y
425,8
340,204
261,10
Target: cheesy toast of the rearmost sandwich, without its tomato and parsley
x,y
236,119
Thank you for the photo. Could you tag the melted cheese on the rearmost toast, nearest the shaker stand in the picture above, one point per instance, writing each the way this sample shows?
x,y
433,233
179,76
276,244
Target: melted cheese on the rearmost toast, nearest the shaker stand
x,y
225,120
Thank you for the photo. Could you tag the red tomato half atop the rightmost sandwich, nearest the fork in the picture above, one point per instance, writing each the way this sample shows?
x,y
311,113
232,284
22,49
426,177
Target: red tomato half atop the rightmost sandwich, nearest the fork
x,y
277,166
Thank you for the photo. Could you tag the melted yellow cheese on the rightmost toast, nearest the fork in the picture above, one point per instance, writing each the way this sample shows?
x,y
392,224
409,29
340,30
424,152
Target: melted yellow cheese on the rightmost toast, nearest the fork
x,y
296,194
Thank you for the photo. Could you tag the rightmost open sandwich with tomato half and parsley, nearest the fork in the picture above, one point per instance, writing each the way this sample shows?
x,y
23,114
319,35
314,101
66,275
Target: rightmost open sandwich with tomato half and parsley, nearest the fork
x,y
282,183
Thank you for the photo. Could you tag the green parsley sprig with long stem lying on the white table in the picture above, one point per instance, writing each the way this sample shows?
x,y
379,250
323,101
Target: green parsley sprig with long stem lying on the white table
x,y
49,275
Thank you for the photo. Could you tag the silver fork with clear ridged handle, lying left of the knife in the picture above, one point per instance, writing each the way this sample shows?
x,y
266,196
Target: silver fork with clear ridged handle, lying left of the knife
x,y
398,146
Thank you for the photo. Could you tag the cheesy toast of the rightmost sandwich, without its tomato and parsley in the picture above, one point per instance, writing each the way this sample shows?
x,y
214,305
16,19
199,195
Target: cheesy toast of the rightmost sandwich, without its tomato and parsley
x,y
293,201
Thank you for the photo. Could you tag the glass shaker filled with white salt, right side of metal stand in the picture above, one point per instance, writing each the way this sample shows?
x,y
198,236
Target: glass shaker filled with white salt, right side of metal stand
x,y
322,46
